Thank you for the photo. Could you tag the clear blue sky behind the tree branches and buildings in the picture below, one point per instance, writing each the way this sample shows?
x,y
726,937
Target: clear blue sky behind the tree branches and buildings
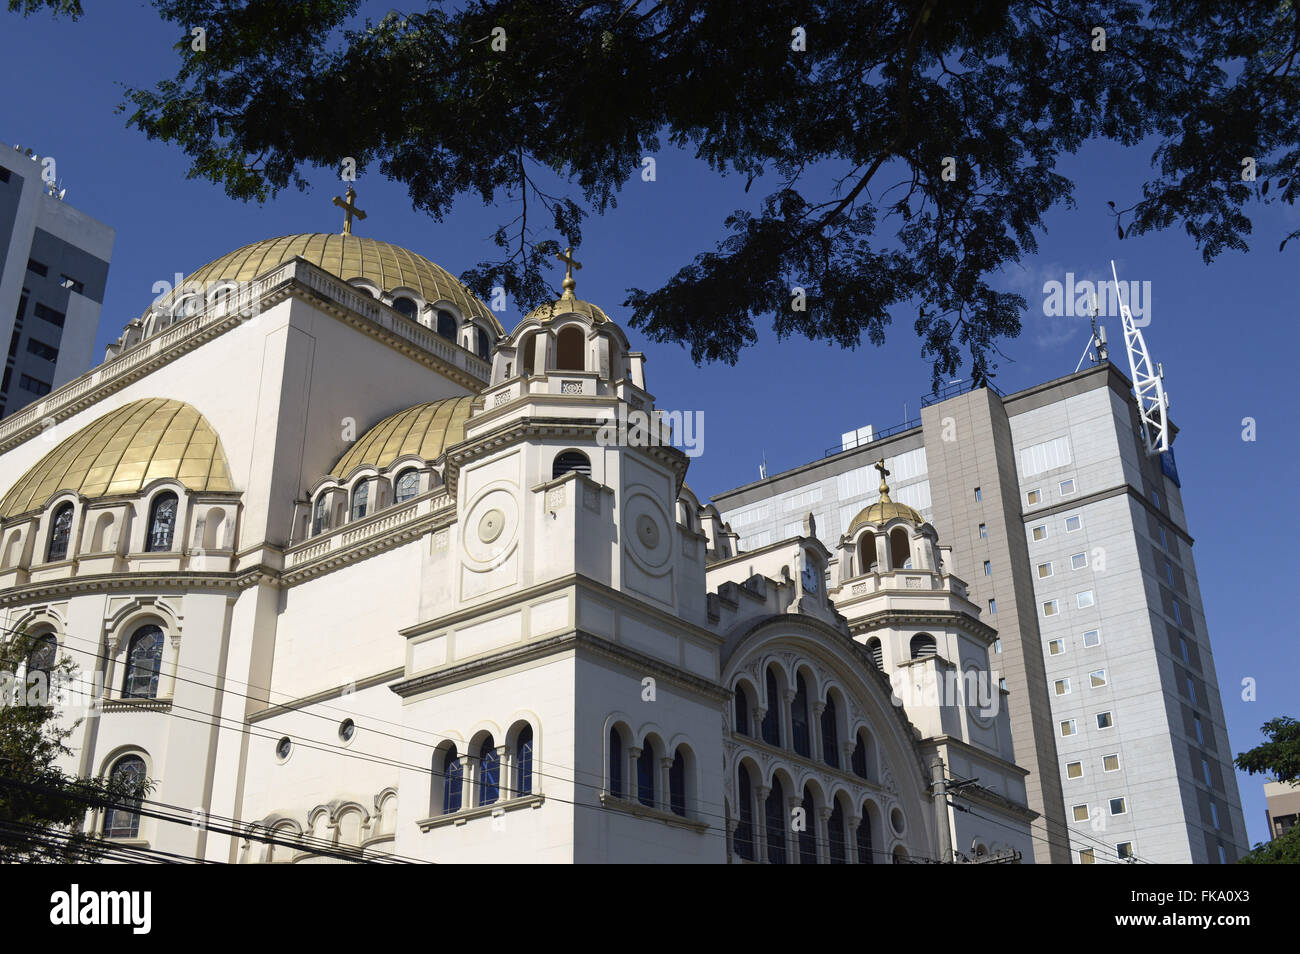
x,y
1227,333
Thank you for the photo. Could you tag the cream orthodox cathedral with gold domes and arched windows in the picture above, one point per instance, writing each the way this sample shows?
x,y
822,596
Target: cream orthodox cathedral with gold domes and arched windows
x,y
352,573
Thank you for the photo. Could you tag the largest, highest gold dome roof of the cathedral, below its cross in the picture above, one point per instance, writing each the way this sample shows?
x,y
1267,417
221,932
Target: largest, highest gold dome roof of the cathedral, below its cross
x,y
349,257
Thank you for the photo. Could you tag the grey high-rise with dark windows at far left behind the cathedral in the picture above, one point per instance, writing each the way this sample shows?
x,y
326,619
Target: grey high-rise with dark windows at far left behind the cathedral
x,y
54,267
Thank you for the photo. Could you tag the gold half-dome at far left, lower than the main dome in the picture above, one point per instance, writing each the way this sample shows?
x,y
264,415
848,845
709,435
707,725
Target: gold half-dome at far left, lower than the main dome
x,y
123,452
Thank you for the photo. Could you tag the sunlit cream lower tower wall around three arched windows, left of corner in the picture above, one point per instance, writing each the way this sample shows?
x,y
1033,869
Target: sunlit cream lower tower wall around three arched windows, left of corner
x,y
539,829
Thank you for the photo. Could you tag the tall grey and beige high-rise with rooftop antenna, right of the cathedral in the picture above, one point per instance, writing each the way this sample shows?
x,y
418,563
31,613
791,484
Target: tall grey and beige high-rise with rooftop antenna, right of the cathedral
x,y
1076,548
